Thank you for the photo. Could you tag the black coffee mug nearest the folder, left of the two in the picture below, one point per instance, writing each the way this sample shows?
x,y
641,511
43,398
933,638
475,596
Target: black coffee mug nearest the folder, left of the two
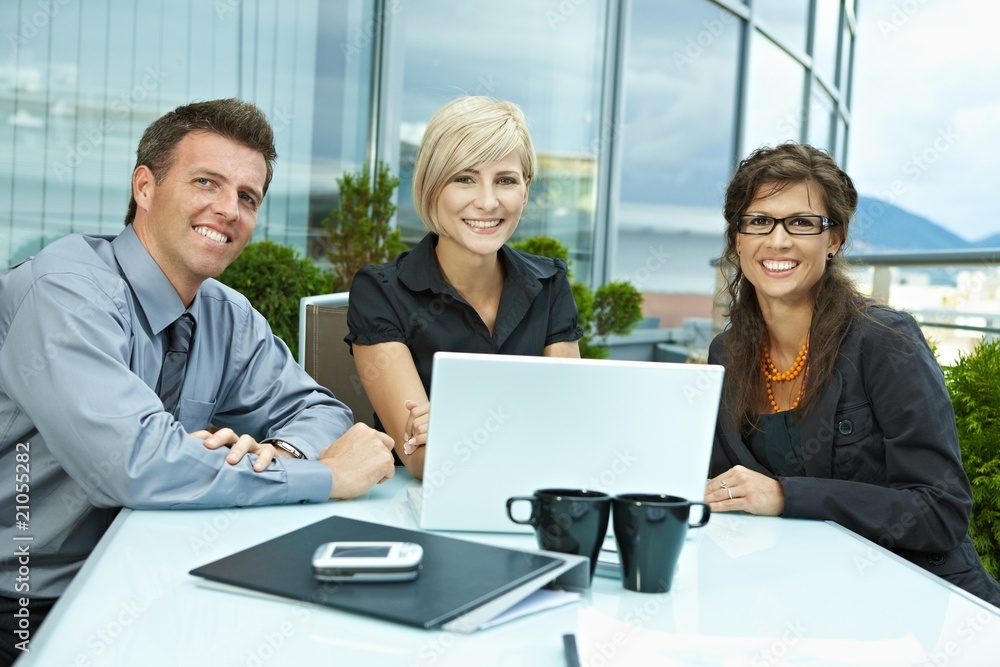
x,y
570,521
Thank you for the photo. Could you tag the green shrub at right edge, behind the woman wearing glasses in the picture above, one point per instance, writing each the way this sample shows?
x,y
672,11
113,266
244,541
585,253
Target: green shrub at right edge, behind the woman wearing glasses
x,y
974,385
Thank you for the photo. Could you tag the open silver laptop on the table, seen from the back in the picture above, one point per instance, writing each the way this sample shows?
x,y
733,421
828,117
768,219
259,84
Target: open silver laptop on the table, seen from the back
x,y
505,426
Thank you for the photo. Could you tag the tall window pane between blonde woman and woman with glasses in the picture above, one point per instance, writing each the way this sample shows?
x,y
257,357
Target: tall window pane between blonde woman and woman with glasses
x,y
676,152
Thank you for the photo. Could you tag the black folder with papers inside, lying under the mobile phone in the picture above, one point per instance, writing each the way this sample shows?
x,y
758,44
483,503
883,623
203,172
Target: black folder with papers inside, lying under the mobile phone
x,y
456,577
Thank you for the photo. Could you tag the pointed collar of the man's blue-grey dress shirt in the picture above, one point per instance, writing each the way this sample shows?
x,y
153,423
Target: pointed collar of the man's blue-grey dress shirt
x,y
157,297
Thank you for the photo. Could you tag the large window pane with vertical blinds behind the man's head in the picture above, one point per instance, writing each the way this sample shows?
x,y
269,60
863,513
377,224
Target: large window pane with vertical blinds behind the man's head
x,y
85,81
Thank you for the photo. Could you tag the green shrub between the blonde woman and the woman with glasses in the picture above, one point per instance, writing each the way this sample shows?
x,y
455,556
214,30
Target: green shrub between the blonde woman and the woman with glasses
x,y
613,308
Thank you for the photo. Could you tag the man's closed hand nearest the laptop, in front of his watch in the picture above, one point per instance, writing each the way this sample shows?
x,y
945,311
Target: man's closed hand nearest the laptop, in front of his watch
x,y
359,459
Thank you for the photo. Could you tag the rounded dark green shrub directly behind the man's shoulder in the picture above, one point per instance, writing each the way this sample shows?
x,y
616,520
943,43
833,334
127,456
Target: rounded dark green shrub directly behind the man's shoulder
x,y
273,277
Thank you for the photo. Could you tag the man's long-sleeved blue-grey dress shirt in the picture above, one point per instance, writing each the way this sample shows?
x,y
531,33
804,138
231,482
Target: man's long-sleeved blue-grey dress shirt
x,y
82,339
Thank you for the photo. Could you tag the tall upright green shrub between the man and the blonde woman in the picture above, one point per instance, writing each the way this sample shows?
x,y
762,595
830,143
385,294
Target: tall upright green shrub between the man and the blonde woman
x,y
359,233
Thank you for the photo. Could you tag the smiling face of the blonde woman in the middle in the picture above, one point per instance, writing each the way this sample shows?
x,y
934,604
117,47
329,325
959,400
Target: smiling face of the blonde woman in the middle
x,y
479,208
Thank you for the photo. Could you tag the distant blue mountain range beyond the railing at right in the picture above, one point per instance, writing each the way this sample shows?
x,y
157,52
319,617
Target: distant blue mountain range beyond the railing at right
x,y
880,226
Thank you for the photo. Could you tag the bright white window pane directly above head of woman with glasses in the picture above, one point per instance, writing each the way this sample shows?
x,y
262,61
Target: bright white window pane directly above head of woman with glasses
x,y
774,96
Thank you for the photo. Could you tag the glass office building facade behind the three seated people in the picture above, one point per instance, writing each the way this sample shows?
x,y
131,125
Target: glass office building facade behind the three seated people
x,y
639,109
